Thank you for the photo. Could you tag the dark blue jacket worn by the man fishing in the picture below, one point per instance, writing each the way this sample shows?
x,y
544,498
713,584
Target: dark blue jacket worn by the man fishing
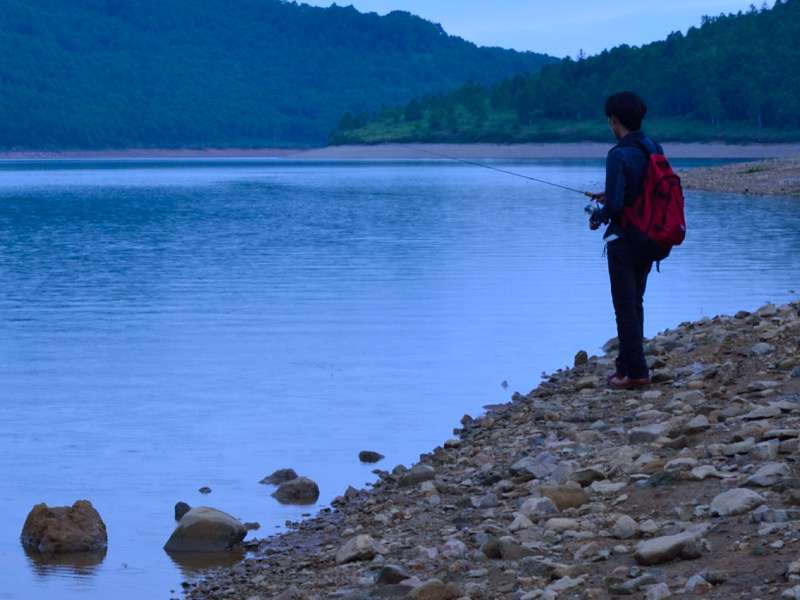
x,y
625,170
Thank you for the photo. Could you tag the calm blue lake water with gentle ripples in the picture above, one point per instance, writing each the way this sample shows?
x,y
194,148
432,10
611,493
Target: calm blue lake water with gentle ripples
x,y
167,325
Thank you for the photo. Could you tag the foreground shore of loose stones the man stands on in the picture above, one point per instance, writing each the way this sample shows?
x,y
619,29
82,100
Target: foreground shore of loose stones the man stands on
x,y
688,488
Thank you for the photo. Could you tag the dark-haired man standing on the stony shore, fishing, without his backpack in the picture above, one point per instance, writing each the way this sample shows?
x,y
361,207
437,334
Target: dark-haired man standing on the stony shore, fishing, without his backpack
x,y
628,268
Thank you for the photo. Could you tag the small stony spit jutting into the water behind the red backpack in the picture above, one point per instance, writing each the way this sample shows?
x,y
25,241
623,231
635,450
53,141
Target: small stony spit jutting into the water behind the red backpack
x,y
777,177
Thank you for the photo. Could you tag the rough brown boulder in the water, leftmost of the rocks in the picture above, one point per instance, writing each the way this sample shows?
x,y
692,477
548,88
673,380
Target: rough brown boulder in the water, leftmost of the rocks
x,y
64,529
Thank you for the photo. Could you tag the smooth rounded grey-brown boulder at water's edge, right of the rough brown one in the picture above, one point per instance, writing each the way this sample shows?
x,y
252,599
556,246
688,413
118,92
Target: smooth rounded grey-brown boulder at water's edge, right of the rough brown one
x,y
205,529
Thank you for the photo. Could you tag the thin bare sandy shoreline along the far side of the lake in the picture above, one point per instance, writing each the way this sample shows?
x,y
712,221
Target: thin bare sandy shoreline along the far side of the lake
x,y
417,151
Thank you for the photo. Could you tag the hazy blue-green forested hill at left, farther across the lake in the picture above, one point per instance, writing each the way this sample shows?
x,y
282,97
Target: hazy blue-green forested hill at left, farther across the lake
x,y
122,73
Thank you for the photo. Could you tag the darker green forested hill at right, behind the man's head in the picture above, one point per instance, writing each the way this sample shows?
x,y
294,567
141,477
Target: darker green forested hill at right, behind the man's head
x,y
733,78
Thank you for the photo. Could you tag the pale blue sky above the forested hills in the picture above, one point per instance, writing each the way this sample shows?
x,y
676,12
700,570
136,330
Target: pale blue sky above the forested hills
x,y
556,27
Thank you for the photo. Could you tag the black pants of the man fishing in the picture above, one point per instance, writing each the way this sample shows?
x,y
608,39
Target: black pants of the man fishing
x,y
628,272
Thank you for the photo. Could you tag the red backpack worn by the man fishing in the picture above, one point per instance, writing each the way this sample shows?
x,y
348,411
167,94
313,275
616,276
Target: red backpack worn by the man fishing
x,y
657,214
